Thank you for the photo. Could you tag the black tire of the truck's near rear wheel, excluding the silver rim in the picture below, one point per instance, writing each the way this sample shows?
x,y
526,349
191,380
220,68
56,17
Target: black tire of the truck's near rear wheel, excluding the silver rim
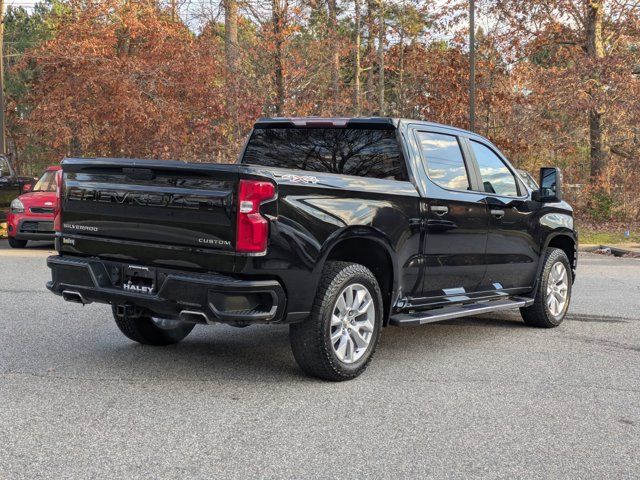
x,y
311,339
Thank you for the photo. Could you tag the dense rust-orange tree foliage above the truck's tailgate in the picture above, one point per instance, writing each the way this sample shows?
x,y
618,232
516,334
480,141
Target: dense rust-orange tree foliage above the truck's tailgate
x,y
129,82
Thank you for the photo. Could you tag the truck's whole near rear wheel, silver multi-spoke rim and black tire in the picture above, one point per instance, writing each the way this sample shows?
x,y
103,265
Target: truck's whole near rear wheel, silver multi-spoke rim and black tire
x,y
339,338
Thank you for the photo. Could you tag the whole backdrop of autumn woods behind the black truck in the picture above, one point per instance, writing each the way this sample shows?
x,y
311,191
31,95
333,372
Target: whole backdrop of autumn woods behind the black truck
x,y
558,81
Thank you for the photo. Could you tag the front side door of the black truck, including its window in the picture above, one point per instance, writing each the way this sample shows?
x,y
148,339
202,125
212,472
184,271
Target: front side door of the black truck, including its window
x,y
512,252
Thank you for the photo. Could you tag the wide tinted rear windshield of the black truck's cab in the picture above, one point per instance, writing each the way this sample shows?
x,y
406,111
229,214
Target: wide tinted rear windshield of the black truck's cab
x,y
350,151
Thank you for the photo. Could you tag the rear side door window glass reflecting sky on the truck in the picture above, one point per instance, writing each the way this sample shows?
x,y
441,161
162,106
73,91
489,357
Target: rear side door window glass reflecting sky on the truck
x,y
445,163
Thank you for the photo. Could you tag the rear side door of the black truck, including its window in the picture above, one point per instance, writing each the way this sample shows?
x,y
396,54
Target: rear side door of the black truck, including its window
x,y
455,217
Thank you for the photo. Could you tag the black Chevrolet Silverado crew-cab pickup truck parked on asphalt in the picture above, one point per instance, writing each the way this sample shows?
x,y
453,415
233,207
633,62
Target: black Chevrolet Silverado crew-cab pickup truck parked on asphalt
x,y
338,227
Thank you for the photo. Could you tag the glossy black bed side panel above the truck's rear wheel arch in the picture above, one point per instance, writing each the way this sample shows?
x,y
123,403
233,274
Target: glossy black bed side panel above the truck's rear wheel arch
x,y
316,211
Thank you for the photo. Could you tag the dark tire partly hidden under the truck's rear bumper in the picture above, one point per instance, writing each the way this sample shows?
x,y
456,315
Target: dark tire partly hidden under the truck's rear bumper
x,y
144,330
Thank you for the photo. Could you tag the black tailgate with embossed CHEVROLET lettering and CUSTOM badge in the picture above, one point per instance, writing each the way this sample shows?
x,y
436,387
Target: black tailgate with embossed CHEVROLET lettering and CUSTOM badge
x,y
155,202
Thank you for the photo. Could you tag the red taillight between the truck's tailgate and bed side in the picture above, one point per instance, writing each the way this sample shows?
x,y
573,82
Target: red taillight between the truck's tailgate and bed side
x,y
253,228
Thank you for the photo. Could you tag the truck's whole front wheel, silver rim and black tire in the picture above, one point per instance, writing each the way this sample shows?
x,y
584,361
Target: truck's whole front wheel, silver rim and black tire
x,y
553,294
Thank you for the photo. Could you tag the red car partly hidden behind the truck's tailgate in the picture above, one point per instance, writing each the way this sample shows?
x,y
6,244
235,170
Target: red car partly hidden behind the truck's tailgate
x,y
31,214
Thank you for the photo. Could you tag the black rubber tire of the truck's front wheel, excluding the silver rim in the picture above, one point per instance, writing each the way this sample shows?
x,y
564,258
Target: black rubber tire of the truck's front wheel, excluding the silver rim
x,y
539,315
